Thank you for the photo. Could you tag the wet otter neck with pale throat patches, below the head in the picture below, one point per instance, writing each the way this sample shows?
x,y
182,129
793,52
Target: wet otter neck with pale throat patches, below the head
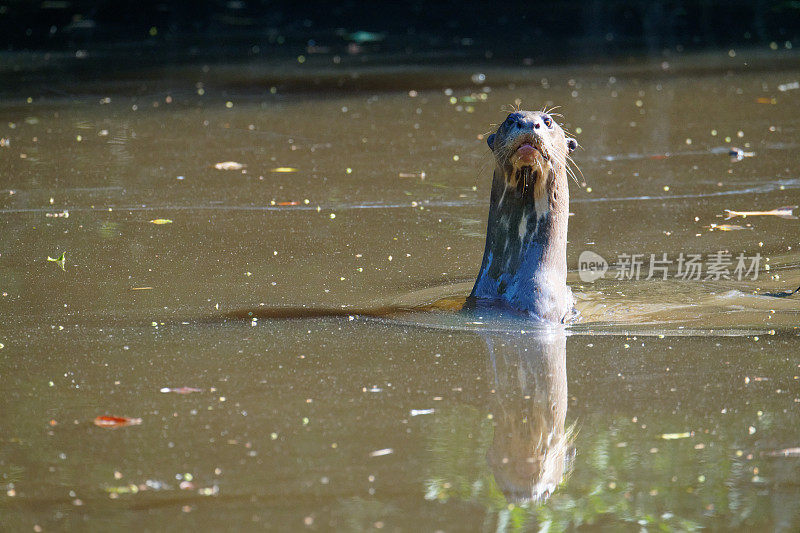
x,y
525,259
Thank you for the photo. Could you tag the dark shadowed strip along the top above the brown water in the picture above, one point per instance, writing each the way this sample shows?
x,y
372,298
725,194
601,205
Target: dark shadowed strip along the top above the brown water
x,y
511,31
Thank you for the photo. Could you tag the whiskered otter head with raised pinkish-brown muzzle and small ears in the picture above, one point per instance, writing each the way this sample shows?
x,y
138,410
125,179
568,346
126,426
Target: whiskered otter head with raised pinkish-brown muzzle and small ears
x,y
531,152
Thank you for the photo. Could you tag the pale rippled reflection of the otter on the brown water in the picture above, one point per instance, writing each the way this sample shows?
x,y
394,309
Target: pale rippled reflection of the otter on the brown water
x,y
531,448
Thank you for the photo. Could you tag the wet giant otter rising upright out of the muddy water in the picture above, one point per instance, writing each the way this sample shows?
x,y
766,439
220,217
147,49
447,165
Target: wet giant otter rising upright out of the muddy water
x,y
524,263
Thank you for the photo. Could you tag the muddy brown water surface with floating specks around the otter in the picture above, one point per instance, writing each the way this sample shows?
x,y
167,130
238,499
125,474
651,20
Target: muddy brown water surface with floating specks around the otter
x,y
672,403
